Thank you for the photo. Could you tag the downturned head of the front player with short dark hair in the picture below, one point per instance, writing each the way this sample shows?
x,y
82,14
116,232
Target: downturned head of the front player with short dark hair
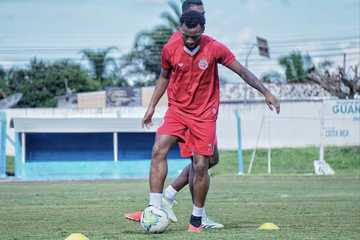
x,y
192,26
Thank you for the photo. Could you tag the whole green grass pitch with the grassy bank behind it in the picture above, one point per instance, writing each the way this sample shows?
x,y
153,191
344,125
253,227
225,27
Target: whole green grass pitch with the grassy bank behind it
x,y
304,207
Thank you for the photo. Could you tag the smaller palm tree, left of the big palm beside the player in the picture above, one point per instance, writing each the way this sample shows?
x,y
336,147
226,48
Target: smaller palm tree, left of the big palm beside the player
x,y
99,60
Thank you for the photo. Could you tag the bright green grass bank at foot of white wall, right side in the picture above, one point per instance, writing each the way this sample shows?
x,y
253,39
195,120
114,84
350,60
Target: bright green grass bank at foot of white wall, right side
x,y
292,161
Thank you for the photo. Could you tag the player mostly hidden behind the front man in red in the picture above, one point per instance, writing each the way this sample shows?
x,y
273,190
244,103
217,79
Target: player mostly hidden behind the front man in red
x,y
186,175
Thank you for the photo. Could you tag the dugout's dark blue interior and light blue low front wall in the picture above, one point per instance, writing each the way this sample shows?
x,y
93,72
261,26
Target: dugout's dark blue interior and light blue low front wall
x,y
74,156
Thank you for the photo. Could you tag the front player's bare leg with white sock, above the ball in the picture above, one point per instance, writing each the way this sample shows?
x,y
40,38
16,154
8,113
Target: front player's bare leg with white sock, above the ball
x,y
158,170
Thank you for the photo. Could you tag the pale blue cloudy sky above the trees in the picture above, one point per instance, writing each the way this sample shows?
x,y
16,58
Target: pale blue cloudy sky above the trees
x,y
55,29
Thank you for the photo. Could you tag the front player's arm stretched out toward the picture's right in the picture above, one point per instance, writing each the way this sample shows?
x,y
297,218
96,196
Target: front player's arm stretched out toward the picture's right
x,y
254,82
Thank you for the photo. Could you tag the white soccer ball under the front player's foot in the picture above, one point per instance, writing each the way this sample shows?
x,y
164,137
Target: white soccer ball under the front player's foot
x,y
154,220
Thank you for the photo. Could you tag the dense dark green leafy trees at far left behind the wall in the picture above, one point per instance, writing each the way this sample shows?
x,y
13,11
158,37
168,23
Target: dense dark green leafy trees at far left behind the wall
x,y
42,82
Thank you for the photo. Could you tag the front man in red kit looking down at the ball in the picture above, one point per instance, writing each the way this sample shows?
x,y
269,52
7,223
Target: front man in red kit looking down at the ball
x,y
190,76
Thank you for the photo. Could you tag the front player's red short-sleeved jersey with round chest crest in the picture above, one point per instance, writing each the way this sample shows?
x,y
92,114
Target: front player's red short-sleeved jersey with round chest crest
x,y
193,89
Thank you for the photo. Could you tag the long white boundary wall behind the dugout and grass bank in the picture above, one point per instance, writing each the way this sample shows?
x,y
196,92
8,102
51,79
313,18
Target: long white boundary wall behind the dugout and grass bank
x,y
297,125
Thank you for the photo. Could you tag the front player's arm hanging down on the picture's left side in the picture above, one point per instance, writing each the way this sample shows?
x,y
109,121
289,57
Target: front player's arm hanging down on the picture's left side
x,y
159,91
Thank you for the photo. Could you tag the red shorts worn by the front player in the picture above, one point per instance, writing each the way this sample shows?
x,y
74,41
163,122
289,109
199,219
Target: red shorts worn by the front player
x,y
196,137
